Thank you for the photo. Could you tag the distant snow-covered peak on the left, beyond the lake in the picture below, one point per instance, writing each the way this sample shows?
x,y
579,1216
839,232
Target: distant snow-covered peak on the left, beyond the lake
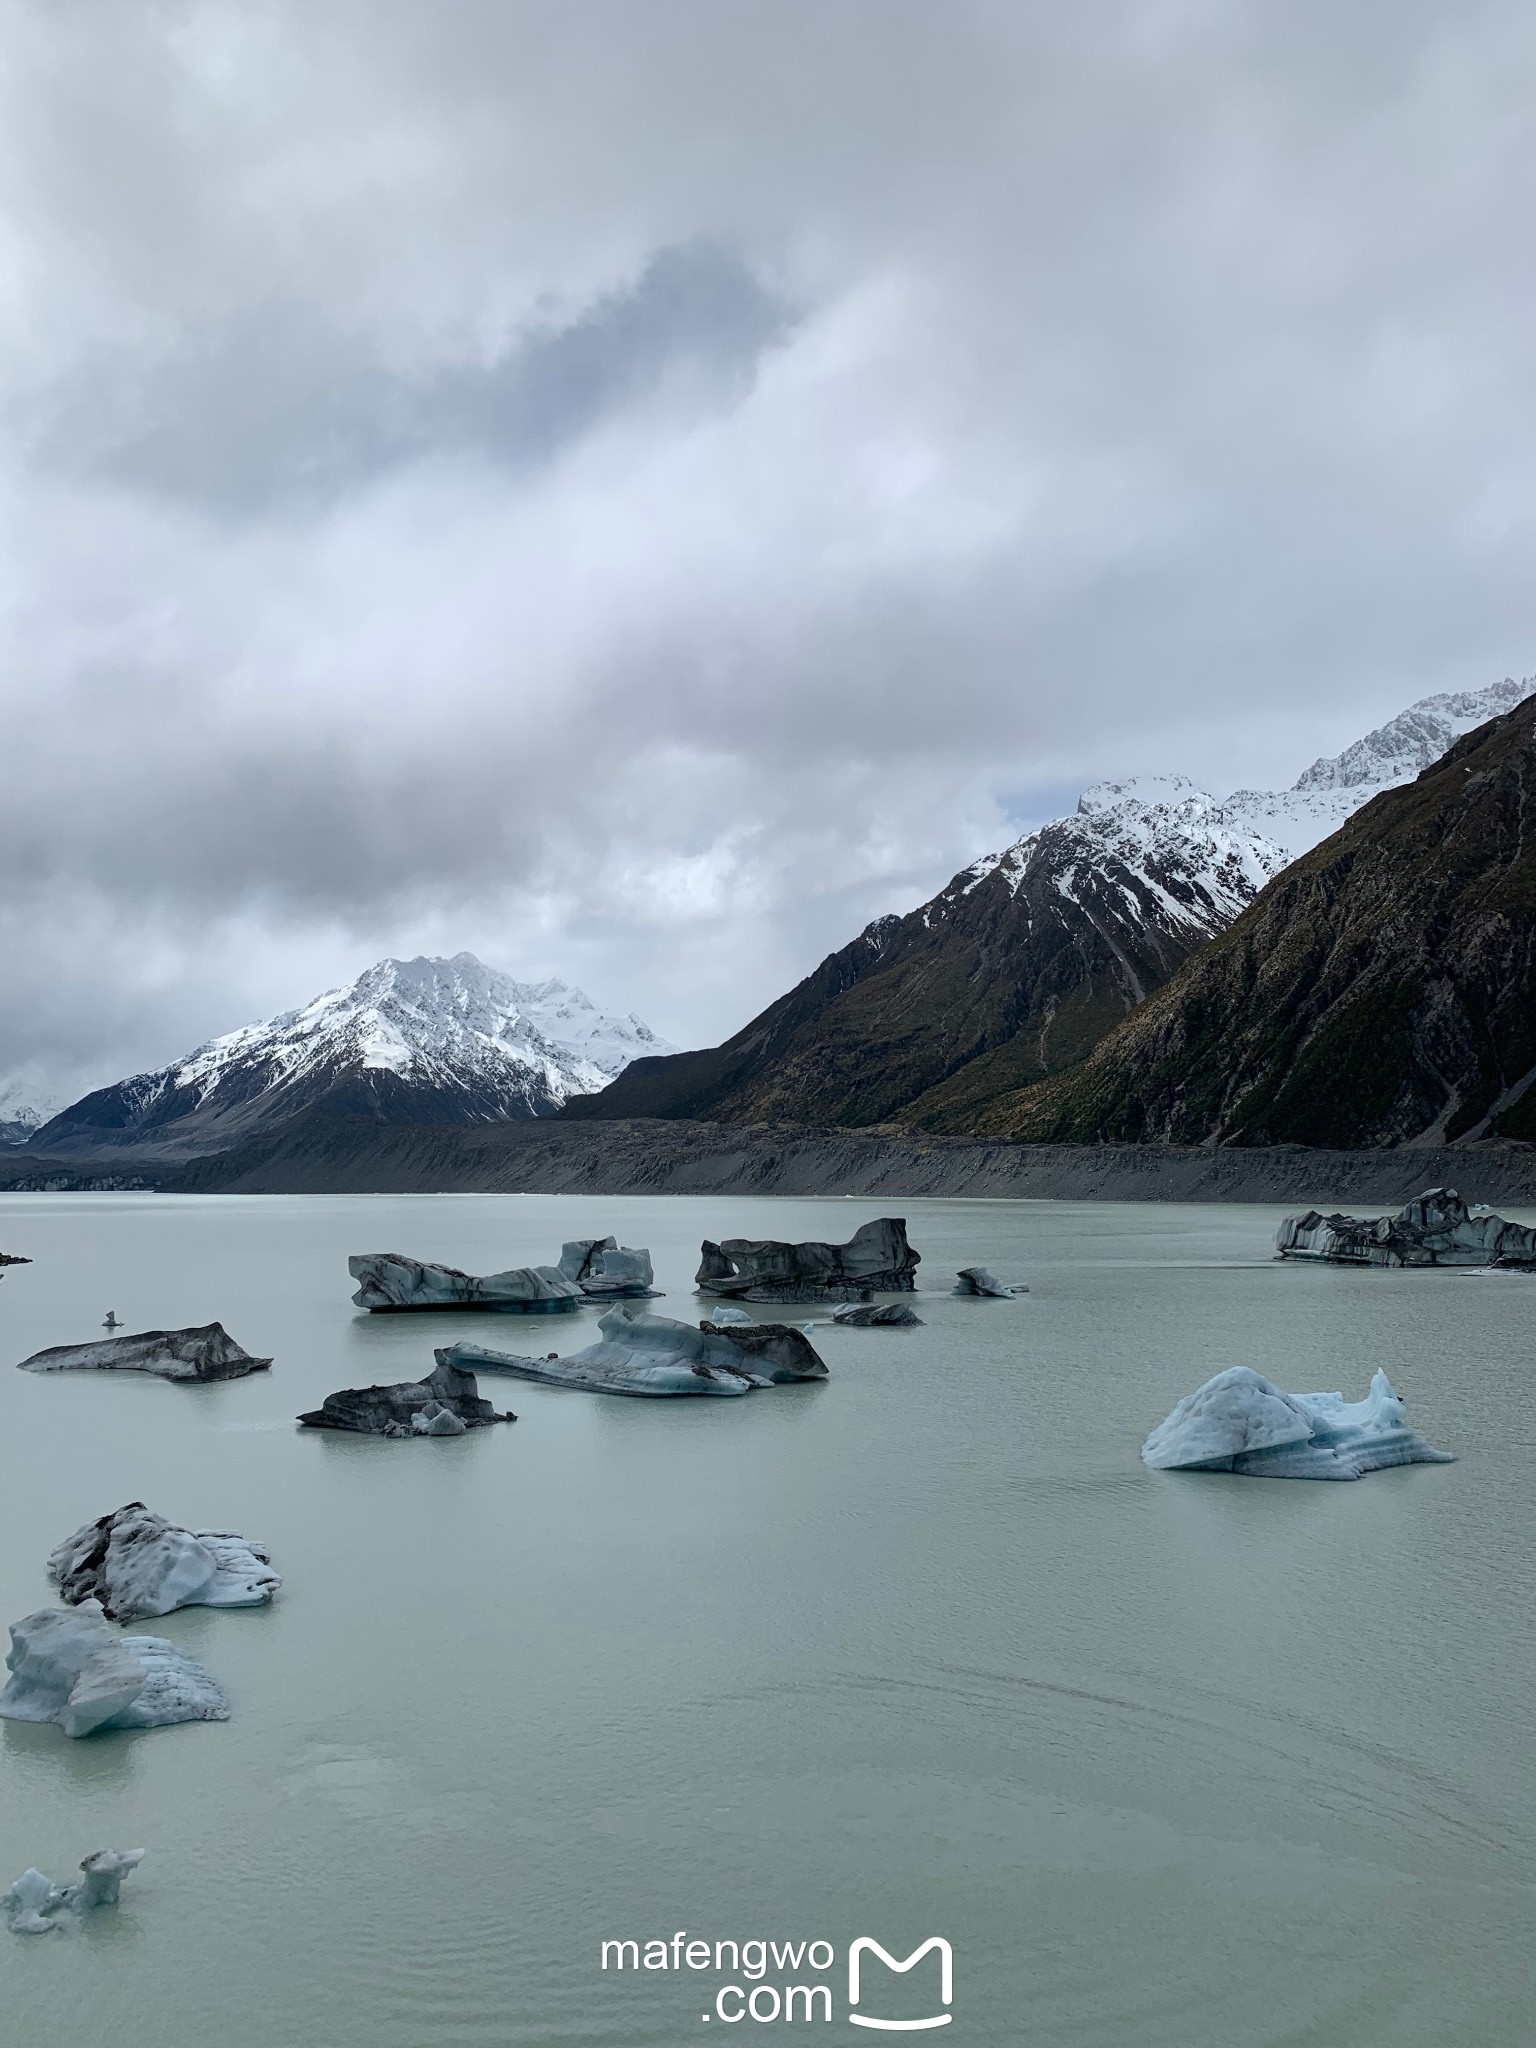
x,y
411,1041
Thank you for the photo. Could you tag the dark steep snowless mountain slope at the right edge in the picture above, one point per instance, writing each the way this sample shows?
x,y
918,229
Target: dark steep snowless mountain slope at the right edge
x,y
1383,990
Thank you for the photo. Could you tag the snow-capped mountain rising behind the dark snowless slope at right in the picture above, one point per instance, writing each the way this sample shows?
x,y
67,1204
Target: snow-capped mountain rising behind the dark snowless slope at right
x,y
1027,959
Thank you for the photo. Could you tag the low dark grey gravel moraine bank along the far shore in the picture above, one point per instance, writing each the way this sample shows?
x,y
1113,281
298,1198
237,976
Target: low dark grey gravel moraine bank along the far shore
x,y
650,1156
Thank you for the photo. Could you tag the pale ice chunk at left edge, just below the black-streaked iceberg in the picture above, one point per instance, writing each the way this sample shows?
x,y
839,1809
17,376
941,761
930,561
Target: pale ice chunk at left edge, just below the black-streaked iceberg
x,y
73,1668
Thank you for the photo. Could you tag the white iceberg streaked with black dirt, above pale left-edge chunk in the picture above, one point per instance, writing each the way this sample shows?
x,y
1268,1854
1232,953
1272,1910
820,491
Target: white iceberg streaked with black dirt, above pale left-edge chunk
x,y
138,1564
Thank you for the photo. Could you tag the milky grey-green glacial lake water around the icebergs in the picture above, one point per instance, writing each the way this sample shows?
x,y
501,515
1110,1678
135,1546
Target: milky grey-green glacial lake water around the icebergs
x,y
921,1652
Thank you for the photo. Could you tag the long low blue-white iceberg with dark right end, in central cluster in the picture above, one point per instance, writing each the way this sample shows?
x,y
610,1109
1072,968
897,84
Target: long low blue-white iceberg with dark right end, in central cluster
x,y
650,1355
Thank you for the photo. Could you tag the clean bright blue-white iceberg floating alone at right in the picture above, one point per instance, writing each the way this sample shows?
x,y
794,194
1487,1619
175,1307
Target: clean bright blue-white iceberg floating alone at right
x,y
1242,1424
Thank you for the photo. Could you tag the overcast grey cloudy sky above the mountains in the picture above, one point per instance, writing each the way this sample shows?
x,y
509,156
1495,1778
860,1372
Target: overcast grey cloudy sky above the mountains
x,y
642,488
